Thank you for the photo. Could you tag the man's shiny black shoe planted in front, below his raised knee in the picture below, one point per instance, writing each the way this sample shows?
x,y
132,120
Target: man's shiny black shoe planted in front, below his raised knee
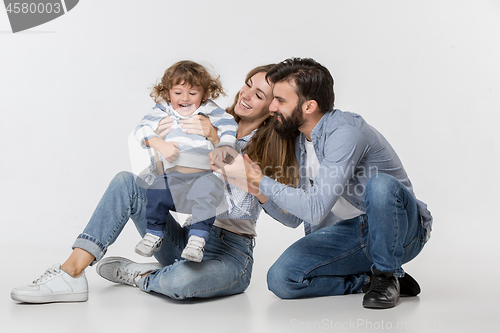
x,y
383,292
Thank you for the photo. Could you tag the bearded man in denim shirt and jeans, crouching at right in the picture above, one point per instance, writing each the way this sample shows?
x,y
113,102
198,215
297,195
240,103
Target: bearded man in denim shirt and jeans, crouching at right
x,y
361,218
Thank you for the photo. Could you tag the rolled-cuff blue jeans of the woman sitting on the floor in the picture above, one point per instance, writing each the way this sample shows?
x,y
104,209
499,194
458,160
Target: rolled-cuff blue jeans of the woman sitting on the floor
x,y
227,264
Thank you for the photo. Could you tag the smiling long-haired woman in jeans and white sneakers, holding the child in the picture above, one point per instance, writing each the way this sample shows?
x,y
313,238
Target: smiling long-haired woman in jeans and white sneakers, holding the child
x,y
227,264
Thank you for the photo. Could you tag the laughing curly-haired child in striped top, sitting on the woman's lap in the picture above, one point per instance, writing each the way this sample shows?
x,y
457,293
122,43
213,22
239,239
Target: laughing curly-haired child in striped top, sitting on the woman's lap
x,y
187,185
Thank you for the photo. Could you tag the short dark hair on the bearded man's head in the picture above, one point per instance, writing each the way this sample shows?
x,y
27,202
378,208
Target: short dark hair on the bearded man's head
x,y
312,79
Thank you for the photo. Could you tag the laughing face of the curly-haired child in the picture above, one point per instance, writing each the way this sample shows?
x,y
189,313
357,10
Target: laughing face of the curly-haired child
x,y
186,99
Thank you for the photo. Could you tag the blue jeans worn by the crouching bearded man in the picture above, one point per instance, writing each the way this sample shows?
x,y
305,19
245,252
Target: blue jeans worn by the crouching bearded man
x,y
334,260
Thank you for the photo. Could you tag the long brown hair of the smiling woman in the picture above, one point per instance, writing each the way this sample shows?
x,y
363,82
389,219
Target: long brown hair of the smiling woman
x,y
275,156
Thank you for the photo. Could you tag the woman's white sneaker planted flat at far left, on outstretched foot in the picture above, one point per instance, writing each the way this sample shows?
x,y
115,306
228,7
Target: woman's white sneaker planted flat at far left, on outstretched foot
x,y
55,285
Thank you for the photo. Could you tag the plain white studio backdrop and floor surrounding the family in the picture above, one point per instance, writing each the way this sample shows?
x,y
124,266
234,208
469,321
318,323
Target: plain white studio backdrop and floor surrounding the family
x,y
424,73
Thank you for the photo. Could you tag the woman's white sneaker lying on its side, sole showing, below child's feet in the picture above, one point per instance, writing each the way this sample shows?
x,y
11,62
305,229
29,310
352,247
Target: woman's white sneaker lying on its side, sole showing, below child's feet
x,y
123,270
